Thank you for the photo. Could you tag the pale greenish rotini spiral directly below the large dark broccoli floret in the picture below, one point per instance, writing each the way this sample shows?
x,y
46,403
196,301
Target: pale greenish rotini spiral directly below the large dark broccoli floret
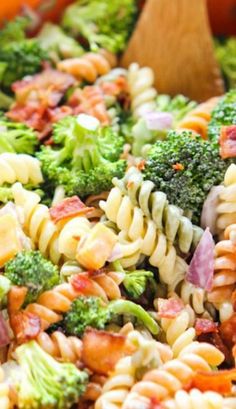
x,y
154,205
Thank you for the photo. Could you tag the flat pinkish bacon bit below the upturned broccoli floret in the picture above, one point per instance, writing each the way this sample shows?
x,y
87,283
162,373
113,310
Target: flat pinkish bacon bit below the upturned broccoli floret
x,y
69,207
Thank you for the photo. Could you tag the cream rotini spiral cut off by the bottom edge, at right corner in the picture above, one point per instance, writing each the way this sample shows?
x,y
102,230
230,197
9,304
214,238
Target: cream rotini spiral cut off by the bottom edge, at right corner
x,y
195,398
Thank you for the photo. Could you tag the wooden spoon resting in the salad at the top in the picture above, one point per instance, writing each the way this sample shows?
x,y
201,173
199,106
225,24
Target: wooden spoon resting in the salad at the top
x,y
173,37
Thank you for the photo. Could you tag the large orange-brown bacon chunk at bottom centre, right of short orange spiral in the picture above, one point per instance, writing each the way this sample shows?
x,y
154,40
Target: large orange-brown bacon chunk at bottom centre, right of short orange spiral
x,y
101,350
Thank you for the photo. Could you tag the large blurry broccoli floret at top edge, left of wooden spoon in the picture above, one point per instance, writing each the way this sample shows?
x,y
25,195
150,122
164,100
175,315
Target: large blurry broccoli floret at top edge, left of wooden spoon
x,y
102,23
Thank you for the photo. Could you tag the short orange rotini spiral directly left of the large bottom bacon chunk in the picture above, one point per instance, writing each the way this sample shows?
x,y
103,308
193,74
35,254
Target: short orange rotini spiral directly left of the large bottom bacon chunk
x,y
65,349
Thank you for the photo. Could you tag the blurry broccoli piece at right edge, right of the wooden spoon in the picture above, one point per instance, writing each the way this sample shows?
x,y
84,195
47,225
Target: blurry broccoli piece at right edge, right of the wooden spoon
x,y
226,55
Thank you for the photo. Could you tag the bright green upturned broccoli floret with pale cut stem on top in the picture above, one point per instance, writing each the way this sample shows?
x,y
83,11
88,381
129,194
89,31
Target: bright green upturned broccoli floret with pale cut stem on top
x,y
86,158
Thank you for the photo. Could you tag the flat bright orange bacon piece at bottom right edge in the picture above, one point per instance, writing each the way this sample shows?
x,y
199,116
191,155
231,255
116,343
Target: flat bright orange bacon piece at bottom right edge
x,y
220,381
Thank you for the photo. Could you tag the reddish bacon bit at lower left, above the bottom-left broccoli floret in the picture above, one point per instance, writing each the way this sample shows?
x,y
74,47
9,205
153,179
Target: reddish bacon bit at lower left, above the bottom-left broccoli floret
x,y
26,326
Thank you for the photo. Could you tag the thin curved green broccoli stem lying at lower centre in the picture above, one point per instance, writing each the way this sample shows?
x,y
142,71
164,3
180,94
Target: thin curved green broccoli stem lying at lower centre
x,y
129,307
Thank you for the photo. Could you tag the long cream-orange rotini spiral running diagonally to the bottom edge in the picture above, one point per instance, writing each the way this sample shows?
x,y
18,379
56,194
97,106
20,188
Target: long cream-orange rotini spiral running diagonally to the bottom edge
x,y
161,383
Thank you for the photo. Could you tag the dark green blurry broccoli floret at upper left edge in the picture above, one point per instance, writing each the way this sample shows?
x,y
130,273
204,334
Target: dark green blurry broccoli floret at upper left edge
x,y
20,58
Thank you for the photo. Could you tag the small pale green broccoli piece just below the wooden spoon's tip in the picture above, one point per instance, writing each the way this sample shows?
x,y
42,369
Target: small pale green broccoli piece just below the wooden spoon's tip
x,y
178,106
